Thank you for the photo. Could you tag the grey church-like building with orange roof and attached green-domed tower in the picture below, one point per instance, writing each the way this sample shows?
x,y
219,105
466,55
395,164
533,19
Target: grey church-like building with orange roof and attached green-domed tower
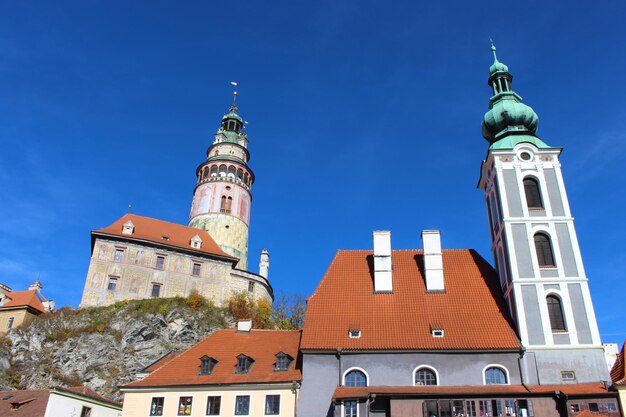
x,y
439,333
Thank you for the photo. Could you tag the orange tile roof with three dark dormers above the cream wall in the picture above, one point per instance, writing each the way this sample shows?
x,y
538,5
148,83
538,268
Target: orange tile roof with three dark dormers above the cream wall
x,y
224,346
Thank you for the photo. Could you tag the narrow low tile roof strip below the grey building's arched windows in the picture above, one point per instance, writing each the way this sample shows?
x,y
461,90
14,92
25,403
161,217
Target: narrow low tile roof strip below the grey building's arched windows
x,y
574,389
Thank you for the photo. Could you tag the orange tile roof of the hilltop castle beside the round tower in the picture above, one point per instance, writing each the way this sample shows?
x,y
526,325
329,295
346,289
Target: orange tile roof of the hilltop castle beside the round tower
x,y
153,230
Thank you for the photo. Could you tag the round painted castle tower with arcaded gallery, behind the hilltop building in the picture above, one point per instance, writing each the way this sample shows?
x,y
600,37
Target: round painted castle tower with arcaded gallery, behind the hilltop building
x,y
223,196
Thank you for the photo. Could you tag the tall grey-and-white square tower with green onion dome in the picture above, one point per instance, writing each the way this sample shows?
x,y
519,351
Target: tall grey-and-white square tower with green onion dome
x,y
534,243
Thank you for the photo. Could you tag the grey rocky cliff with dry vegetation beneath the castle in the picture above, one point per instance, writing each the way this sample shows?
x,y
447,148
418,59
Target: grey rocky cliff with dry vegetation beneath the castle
x,y
103,347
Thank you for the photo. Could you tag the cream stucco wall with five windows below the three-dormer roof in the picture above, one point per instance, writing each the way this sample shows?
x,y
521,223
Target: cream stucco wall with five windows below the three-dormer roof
x,y
137,404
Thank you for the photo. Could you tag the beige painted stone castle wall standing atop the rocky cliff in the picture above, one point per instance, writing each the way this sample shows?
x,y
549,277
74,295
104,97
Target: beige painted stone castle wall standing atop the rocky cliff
x,y
122,271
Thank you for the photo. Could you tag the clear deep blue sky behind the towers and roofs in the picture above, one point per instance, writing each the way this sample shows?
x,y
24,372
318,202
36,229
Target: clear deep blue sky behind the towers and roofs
x,y
363,116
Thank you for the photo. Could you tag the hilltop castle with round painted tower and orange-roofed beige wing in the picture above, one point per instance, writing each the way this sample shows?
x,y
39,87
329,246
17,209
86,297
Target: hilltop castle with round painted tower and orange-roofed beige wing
x,y
141,257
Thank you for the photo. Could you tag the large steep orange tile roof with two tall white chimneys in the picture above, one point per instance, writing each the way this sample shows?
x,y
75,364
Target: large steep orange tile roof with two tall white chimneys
x,y
471,311
